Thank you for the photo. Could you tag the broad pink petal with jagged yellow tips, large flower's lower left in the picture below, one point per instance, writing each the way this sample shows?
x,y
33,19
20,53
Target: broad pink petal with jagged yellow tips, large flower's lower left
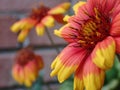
x,y
67,62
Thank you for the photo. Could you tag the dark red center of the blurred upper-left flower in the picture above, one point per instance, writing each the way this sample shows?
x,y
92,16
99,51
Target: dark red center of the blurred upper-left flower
x,y
39,13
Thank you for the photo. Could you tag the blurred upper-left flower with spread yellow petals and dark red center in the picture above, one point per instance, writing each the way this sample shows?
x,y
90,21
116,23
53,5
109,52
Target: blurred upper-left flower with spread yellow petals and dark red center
x,y
40,18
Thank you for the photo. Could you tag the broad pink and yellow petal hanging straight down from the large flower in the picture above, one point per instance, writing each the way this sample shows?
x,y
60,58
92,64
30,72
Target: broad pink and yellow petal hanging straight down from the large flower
x,y
92,75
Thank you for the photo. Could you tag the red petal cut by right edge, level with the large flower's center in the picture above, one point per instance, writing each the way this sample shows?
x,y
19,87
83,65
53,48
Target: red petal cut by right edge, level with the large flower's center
x,y
115,28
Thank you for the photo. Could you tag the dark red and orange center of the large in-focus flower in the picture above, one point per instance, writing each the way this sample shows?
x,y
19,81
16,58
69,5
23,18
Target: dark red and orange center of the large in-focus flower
x,y
93,30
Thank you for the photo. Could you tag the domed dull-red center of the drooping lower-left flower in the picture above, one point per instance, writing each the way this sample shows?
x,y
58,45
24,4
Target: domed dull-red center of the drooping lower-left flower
x,y
24,56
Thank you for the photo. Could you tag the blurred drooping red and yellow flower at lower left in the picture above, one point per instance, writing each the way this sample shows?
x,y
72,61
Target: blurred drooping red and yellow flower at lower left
x,y
27,66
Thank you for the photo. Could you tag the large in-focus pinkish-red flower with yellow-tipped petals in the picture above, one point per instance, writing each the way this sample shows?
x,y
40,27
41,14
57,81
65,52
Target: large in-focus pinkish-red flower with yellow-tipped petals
x,y
93,34
